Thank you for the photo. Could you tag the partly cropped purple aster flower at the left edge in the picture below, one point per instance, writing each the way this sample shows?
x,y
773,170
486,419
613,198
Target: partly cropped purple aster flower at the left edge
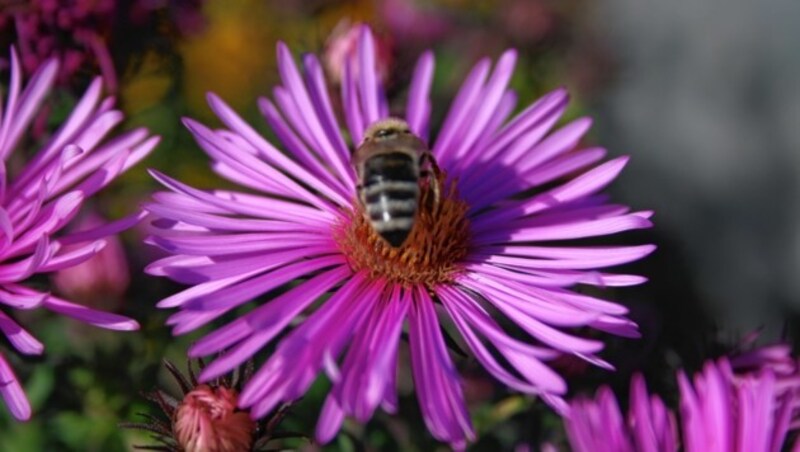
x,y
41,196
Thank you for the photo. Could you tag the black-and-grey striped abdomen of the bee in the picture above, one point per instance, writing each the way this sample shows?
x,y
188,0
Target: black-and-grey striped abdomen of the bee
x,y
390,193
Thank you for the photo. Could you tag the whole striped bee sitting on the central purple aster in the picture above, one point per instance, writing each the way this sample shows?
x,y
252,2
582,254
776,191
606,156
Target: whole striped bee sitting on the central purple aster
x,y
390,163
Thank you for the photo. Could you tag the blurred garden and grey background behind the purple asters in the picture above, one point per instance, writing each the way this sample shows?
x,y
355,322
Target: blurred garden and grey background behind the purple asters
x,y
704,95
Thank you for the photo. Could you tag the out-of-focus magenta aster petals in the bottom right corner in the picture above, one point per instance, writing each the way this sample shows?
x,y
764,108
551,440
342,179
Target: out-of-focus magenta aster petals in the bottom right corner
x,y
720,411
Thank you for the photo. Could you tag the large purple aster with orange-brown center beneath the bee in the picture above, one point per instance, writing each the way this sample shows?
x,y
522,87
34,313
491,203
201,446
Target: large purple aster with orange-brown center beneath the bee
x,y
483,249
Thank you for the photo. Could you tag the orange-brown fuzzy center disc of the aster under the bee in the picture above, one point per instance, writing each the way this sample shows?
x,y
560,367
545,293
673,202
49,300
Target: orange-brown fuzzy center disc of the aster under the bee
x,y
438,241
